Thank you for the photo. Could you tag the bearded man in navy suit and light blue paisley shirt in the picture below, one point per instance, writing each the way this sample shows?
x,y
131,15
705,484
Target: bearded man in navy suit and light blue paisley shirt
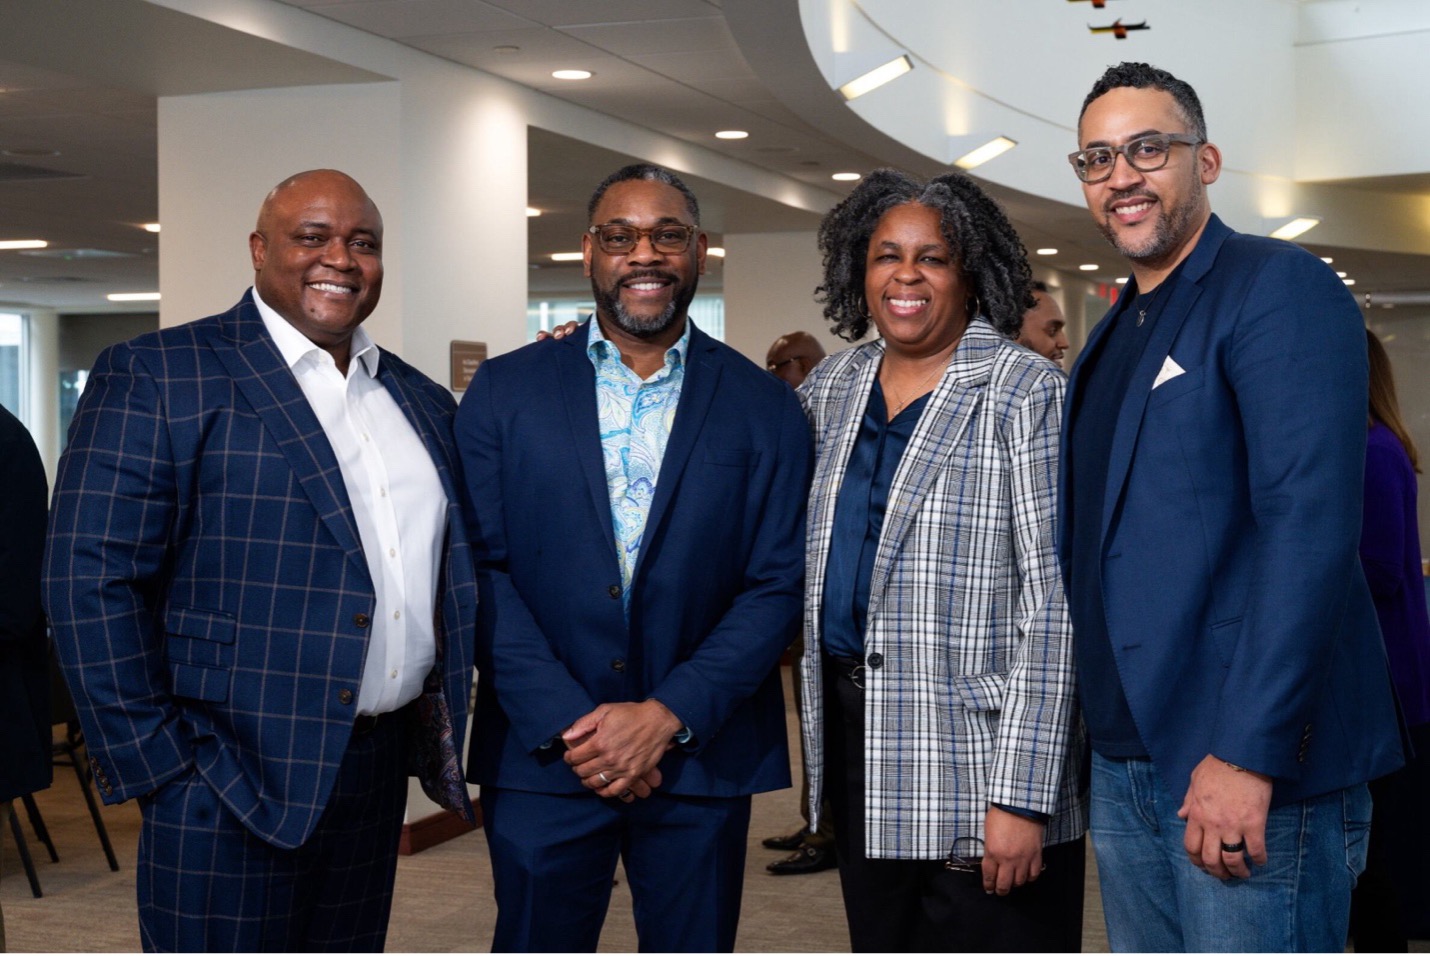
x,y
637,499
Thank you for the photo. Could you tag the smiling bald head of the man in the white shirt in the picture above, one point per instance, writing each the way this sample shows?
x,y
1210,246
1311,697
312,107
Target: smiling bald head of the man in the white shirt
x,y
318,258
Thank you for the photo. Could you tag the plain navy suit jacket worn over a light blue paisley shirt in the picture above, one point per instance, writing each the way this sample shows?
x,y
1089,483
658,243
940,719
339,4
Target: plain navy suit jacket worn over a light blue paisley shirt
x,y
716,597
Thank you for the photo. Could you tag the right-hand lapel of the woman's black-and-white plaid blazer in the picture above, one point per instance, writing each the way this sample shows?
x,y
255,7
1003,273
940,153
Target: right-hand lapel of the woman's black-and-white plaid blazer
x,y
936,438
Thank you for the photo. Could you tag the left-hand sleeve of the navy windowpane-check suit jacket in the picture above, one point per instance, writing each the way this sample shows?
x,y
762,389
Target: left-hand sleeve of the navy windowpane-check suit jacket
x,y
105,571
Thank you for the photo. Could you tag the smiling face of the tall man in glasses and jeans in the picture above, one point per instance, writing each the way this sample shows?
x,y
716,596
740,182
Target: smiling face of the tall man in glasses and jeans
x,y
1153,219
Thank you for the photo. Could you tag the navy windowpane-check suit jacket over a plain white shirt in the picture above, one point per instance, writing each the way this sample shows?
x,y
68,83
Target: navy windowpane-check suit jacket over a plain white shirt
x,y
207,584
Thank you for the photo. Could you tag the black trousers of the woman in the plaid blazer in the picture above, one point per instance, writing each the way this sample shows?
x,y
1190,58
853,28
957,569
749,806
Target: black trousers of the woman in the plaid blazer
x,y
917,907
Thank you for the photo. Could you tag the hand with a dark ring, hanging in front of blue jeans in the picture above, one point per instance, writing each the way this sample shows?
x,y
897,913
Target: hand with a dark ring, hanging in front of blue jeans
x,y
1226,807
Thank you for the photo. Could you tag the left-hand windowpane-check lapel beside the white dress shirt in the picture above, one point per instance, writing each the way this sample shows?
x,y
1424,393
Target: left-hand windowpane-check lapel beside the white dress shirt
x,y
271,389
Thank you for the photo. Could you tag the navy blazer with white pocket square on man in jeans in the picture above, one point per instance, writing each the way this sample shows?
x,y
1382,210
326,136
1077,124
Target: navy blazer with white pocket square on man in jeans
x,y
1236,605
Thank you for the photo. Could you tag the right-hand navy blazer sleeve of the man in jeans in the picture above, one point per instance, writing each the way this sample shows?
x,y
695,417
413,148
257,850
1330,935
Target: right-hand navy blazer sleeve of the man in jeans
x,y
1298,367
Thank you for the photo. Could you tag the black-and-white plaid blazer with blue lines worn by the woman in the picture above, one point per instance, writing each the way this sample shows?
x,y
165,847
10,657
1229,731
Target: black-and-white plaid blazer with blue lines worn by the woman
x,y
975,699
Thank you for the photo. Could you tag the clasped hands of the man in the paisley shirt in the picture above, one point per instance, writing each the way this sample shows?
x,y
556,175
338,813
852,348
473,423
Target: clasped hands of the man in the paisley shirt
x,y
618,745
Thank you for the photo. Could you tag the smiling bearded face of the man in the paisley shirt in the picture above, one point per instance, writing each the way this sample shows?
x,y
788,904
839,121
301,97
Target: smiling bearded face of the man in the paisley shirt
x,y
644,294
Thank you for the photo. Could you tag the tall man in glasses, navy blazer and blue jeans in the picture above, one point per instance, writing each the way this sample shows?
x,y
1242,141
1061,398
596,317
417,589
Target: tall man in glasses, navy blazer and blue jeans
x,y
1229,658
